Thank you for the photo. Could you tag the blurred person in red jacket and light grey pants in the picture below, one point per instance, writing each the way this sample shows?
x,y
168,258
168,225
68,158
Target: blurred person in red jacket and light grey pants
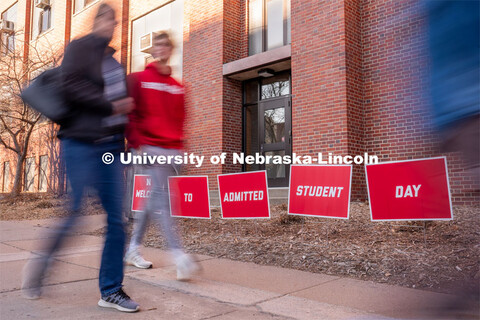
x,y
156,128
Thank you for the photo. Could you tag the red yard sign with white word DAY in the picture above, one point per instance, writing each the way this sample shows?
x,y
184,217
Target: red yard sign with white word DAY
x,y
409,190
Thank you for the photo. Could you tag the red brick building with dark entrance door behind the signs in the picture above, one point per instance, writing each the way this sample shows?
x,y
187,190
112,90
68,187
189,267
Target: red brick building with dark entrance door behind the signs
x,y
276,76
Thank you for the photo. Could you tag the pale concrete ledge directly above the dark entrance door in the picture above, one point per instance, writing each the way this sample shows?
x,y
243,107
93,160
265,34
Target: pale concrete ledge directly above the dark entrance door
x,y
246,68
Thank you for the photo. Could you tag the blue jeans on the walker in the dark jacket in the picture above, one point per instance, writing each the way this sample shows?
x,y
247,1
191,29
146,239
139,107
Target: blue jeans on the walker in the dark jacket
x,y
84,168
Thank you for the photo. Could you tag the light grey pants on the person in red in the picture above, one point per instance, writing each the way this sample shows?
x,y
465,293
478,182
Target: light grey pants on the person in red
x,y
158,206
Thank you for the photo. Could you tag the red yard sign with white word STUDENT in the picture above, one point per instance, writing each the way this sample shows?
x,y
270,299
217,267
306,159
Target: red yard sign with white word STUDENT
x,y
320,190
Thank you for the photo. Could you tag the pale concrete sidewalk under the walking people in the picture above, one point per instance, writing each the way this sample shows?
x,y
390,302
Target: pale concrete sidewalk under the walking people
x,y
225,289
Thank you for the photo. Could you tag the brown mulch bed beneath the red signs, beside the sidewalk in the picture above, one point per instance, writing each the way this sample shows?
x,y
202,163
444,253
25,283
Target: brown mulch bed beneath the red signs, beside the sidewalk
x,y
442,259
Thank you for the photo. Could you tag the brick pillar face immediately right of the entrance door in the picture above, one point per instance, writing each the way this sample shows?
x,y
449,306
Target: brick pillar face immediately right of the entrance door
x,y
319,86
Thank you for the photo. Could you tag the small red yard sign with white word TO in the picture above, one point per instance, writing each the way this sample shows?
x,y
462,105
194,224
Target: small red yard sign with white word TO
x,y
189,197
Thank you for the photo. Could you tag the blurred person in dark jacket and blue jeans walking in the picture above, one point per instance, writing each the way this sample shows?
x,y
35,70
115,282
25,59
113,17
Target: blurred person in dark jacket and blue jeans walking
x,y
95,90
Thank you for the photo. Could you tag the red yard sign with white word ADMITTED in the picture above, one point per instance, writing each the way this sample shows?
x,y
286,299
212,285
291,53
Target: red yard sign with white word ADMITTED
x,y
244,195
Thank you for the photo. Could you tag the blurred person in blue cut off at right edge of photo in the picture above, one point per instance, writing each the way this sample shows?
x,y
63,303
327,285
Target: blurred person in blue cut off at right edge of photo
x,y
454,39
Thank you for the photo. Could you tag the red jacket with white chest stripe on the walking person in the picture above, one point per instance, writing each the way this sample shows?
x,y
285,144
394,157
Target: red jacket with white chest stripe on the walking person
x,y
159,113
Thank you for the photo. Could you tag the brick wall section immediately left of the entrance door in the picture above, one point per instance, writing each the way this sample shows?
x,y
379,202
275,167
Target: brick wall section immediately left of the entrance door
x,y
202,75
